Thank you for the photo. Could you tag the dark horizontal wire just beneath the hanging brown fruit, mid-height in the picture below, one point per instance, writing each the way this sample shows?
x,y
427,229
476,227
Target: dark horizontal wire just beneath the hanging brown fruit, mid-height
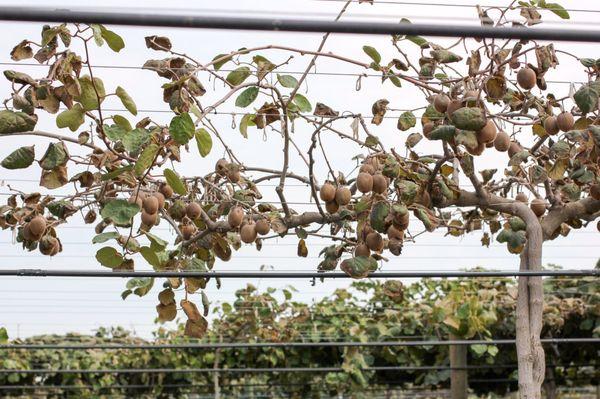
x,y
285,275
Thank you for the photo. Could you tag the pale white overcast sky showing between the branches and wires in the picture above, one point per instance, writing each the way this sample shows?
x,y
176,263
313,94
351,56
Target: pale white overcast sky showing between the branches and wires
x,y
52,305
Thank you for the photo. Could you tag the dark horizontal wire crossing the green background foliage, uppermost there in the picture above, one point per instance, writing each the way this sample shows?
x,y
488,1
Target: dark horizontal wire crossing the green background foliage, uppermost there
x,y
249,345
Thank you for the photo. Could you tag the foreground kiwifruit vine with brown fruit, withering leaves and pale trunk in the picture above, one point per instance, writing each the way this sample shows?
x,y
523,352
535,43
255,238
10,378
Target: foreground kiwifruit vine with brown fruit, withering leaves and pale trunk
x,y
124,167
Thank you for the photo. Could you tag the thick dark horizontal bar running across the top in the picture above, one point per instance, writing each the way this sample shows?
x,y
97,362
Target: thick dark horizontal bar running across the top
x,y
40,14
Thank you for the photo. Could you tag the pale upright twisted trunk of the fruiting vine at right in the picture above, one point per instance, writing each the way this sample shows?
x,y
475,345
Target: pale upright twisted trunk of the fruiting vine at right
x,y
530,302
